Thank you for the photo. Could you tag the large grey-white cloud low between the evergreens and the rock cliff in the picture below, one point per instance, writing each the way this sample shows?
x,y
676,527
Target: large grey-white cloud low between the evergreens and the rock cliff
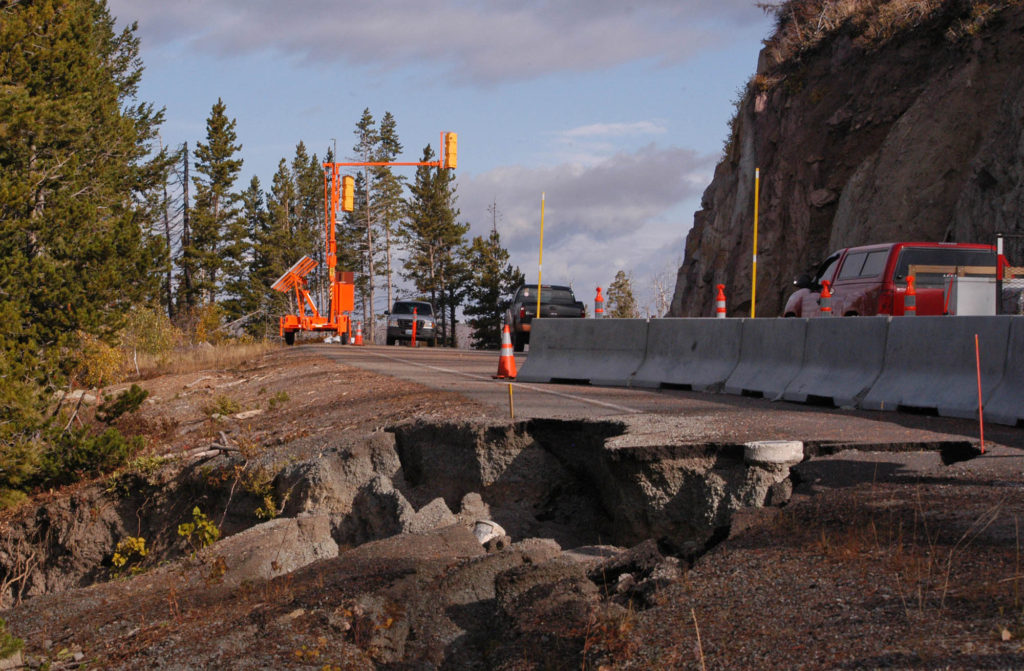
x,y
630,213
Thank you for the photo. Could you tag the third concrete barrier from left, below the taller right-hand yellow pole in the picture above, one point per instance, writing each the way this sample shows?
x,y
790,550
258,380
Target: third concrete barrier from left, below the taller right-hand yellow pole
x,y
771,356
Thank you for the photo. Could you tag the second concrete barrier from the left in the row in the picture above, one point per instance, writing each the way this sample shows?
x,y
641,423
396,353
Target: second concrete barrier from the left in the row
x,y
694,354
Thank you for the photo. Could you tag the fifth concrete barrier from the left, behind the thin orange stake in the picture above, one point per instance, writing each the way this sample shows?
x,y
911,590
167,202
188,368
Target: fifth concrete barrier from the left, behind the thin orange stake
x,y
930,364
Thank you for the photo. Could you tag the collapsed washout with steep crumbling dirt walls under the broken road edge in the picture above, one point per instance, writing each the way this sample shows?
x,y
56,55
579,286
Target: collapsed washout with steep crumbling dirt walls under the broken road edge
x,y
564,481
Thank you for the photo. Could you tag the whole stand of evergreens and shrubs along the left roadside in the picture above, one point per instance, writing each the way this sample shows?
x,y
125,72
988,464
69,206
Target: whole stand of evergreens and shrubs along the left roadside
x,y
122,259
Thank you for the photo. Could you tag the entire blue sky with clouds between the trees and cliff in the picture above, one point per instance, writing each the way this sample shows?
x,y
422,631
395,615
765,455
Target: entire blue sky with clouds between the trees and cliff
x,y
615,112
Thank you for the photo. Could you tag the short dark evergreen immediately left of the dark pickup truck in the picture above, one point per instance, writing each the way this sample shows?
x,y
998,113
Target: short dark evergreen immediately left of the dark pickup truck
x,y
494,282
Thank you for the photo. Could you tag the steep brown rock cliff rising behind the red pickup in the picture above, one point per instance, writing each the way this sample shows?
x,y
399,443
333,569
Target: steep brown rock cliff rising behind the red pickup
x,y
918,137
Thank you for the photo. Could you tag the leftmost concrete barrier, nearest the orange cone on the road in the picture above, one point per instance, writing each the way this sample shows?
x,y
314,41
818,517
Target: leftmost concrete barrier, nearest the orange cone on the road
x,y
601,352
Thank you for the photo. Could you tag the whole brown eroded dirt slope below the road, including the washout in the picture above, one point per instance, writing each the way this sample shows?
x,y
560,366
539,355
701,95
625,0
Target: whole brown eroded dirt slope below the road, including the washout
x,y
354,538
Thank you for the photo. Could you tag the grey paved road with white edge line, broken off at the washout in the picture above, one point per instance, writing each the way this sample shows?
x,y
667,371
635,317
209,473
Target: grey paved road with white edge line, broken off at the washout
x,y
691,416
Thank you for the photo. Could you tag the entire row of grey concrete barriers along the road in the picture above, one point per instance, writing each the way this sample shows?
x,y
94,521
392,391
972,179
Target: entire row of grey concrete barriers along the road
x,y
872,363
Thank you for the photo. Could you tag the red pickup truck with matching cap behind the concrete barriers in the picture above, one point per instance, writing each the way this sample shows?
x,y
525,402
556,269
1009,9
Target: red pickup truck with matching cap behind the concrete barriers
x,y
872,280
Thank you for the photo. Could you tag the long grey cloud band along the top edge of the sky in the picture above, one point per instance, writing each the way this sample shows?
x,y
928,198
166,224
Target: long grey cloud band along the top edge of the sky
x,y
472,40
